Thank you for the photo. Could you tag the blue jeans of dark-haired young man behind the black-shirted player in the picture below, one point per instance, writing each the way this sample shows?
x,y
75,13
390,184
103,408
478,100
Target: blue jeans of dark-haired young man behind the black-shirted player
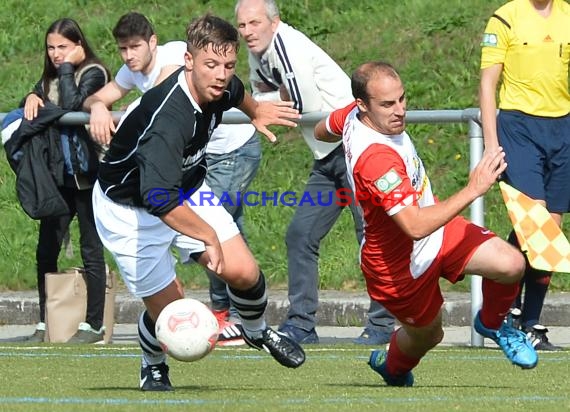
x,y
231,173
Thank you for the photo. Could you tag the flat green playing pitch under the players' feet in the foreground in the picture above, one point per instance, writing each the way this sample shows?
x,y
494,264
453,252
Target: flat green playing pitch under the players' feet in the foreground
x,y
334,378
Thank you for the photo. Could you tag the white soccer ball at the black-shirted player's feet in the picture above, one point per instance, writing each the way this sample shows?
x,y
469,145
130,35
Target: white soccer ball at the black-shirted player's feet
x,y
187,330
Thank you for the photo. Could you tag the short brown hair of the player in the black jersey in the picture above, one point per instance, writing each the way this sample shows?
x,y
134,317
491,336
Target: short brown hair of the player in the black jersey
x,y
212,30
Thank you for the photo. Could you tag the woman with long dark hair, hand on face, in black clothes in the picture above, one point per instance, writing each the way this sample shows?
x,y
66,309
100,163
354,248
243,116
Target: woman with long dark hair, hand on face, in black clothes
x,y
71,73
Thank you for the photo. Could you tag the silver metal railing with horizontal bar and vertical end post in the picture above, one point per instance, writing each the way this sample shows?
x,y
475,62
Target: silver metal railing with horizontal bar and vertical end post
x,y
470,116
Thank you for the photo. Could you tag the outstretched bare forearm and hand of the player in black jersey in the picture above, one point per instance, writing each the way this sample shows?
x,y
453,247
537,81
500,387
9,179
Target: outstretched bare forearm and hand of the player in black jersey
x,y
264,114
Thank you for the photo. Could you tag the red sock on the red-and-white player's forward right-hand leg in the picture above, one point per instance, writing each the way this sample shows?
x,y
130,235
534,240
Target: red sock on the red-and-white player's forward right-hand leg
x,y
497,300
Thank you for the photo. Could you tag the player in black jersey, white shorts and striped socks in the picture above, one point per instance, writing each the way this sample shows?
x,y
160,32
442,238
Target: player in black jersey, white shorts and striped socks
x,y
155,160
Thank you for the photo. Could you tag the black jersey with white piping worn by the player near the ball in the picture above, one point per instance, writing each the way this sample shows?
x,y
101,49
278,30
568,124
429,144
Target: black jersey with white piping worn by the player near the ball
x,y
157,154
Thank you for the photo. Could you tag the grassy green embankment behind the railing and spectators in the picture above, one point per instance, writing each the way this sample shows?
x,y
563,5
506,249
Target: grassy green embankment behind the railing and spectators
x,y
434,44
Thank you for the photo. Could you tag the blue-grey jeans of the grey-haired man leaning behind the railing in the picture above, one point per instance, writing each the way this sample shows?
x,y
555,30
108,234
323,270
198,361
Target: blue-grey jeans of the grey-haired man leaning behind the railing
x,y
309,226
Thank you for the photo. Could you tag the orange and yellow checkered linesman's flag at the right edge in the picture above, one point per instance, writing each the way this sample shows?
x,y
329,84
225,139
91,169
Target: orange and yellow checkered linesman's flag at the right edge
x,y
538,234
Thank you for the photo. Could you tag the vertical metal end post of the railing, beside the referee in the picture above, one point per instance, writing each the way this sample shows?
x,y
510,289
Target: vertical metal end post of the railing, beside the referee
x,y
477,217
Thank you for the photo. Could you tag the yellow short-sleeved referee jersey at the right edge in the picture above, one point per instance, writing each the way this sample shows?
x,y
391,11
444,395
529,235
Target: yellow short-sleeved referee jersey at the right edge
x,y
535,53
